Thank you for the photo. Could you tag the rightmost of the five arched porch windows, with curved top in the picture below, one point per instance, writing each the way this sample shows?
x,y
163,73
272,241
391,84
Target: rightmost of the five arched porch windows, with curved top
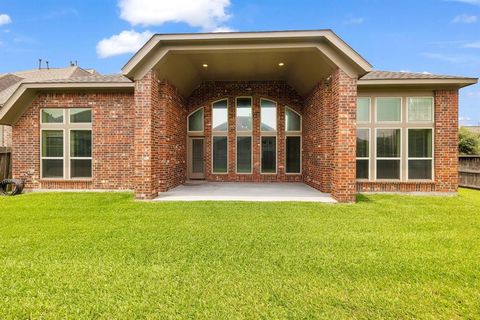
x,y
293,142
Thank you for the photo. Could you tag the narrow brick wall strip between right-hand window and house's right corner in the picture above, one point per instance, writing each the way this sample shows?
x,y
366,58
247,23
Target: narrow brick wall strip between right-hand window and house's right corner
x,y
446,140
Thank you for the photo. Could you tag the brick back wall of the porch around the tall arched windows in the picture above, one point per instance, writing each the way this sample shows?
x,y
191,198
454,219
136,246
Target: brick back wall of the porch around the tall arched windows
x,y
277,91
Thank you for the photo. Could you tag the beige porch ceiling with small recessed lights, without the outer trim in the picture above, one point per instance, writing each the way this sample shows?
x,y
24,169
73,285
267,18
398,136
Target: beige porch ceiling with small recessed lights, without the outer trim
x,y
302,67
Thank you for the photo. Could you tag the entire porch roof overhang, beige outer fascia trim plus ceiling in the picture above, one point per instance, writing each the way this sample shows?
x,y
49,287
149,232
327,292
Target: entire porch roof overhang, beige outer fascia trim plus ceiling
x,y
308,57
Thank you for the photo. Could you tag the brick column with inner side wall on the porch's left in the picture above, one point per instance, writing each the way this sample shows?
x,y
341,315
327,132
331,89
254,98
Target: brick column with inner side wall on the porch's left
x,y
160,137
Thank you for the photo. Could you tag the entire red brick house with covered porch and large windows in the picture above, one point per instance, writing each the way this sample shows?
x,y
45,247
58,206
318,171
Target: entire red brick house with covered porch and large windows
x,y
309,109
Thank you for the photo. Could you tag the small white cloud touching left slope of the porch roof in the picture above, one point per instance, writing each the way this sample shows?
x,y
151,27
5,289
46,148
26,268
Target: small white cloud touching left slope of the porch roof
x,y
127,41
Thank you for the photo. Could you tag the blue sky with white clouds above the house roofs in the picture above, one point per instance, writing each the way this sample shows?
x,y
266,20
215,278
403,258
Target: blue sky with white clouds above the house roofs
x,y
436,36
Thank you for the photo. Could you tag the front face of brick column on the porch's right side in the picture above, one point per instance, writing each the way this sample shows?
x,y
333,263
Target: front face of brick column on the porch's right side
x,y
343,112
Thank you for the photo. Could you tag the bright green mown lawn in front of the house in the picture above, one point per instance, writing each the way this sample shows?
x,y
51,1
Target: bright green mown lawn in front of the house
x,y
106,256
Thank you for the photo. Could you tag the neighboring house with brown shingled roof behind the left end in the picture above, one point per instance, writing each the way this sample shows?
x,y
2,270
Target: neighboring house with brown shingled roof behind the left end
x,y
10,82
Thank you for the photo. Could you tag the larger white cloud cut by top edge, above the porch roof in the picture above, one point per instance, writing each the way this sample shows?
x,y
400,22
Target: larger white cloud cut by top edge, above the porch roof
x,y
208,15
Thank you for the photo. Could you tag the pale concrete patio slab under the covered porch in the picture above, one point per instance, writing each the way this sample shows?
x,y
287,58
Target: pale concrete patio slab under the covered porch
x,y
242,191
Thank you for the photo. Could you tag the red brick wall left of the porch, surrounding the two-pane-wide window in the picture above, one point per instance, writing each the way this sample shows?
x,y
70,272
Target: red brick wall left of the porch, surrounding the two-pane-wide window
x,y
112,140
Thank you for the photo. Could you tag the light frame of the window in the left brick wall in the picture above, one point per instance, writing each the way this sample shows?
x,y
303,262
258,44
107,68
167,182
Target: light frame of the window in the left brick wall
x,y
66,126
